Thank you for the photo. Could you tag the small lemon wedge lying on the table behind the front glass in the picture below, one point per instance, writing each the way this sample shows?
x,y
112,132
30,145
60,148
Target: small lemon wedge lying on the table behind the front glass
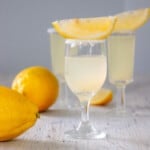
x,y
103,97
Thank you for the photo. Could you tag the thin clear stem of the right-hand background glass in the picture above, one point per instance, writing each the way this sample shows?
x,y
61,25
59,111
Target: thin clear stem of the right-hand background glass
x,y
121,101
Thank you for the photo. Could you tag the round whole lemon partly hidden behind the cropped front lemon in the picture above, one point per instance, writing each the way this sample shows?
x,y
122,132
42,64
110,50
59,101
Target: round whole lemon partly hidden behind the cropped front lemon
x,y
38,84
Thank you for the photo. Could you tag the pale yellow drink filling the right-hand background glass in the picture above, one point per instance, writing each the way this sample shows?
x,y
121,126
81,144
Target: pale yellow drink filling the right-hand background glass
x,y
121,57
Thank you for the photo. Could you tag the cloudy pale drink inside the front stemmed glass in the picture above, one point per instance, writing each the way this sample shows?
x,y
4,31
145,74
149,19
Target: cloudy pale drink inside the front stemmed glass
x,y
85,74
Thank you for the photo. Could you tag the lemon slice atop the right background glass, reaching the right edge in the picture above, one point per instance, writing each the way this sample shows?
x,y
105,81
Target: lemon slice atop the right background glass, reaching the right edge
x,y
131,20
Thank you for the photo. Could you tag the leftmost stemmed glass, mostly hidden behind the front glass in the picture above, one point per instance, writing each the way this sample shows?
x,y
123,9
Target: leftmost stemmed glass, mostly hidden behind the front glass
x,y
57,50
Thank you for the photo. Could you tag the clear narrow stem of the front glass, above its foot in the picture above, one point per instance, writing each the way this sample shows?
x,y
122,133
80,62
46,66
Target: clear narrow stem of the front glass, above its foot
x,y
85,111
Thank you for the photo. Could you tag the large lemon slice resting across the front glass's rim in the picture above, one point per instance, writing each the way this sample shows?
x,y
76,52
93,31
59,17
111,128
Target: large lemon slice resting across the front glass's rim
x,y
85,28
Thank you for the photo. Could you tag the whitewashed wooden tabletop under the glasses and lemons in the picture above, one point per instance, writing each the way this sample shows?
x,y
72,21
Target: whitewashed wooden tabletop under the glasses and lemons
x,y
126,133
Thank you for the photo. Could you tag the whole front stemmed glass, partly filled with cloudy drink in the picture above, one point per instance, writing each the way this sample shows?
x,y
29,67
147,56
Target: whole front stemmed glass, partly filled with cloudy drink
x,y
85,73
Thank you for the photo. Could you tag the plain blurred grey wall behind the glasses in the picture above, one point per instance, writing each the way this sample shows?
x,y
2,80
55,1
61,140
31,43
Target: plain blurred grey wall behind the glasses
x,y
24,40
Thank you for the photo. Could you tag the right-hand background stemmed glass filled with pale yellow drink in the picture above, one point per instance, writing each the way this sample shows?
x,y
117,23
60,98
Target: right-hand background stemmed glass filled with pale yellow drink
x,y
121,48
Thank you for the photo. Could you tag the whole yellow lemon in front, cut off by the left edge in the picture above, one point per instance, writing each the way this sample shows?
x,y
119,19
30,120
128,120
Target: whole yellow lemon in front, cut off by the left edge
x,y
17,114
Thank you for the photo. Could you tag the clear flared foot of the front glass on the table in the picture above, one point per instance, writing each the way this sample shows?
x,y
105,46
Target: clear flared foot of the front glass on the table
x,y
85,131
